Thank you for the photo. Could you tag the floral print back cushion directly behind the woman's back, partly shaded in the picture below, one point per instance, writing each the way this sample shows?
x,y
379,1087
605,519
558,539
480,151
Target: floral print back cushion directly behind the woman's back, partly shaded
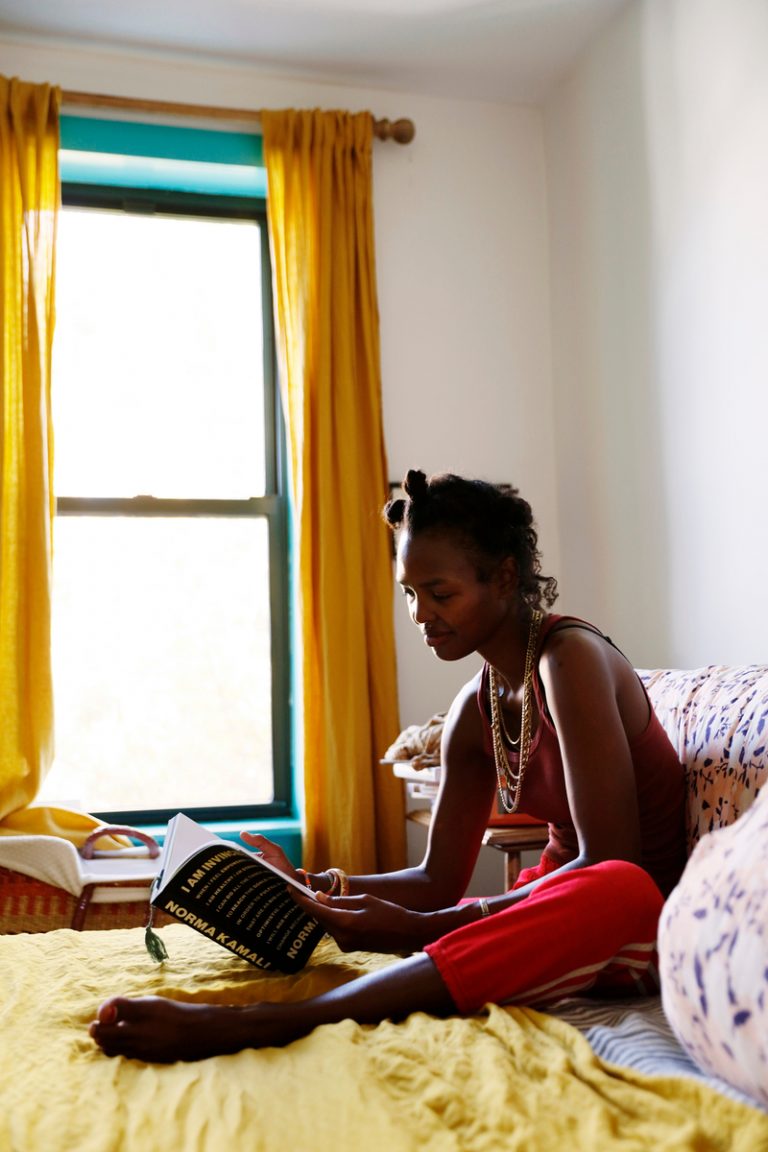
x,y
718,721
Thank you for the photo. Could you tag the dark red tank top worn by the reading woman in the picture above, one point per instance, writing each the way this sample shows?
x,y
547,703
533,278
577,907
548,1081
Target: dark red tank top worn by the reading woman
x,y
659,775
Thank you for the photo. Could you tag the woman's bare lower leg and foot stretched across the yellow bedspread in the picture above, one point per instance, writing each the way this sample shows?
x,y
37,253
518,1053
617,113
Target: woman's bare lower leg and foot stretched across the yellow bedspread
x,y
159,1030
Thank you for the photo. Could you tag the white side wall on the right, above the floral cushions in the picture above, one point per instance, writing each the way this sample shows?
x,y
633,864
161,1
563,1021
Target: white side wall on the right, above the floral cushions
x,y
658,173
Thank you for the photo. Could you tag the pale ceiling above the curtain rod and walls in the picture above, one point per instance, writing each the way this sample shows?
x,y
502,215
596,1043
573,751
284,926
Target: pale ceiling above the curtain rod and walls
x,y
506,51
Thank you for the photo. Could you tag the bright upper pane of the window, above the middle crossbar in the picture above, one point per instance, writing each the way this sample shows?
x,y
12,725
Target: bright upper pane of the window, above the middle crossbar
x,y
157,383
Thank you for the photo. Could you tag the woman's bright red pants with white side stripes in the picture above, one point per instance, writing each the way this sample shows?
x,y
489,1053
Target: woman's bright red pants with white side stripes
x,y
589,929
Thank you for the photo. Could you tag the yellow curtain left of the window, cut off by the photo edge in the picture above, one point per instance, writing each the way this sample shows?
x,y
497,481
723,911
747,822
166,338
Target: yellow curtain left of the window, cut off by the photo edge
x,y
29,207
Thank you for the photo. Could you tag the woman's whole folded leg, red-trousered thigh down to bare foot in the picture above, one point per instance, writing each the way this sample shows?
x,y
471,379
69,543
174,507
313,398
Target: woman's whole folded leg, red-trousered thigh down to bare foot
x,y
575,930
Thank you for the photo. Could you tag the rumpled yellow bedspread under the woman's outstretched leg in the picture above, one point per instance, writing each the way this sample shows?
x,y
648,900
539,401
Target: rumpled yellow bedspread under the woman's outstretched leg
x,y
510,1079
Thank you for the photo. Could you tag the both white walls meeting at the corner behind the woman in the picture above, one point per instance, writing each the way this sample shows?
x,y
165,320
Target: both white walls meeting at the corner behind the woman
x,y
579,310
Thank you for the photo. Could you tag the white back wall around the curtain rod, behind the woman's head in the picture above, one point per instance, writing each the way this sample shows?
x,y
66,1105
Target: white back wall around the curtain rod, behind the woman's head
x,y
463,281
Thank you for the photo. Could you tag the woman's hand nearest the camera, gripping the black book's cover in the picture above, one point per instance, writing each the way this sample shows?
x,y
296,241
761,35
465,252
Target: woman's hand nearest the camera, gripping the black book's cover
x,y
367,923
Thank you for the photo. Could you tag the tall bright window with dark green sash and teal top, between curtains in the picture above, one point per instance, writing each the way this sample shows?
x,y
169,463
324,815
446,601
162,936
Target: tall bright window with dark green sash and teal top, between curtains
x,y
171,556
